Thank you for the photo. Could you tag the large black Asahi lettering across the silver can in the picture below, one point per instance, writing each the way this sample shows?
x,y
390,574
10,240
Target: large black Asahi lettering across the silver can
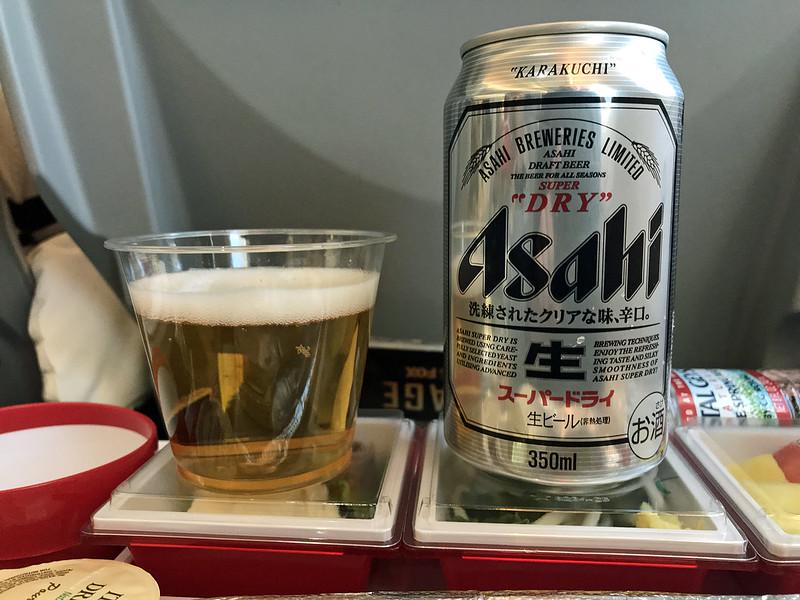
x,y
606,260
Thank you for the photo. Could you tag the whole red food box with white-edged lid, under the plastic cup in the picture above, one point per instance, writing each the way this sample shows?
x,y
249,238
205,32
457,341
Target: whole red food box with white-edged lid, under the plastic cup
x,y
320,538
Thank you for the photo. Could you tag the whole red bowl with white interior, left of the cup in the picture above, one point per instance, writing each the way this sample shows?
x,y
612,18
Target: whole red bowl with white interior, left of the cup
x,y
58,463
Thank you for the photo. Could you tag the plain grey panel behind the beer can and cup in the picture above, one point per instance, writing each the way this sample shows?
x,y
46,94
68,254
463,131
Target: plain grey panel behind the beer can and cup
x,y
329,114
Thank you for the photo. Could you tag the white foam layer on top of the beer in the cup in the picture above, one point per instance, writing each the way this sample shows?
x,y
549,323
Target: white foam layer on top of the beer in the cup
x,y
254,295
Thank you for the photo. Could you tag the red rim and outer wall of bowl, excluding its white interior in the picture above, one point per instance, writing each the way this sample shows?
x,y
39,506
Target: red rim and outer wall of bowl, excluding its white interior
x,y
48,517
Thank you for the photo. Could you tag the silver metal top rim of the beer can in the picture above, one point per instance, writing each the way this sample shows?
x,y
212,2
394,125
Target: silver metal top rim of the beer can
x,y
562,27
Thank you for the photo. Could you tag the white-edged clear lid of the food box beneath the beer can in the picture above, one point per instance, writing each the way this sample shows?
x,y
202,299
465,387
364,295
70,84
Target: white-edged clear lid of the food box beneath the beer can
x,y
667,512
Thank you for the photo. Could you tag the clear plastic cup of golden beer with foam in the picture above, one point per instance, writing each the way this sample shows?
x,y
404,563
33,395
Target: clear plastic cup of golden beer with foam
x,y
256,341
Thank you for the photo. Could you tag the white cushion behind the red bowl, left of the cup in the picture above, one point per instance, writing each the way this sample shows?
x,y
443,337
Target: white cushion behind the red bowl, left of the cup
x,y
88,345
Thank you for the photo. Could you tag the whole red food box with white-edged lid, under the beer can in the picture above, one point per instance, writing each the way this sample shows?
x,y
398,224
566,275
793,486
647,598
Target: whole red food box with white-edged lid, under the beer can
x,y
662,532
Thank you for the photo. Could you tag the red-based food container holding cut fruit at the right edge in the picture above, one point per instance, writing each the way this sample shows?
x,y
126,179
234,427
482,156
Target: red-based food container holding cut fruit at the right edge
x,y
739,462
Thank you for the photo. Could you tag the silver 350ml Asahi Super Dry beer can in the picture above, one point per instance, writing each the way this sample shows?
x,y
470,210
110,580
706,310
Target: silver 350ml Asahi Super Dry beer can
x,y
563,146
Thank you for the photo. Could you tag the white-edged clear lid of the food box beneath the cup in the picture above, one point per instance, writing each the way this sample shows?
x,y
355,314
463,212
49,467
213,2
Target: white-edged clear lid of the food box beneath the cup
x,y
360,506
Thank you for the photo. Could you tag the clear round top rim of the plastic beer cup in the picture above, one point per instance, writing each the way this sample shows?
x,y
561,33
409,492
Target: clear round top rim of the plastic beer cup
x,y
154,243
